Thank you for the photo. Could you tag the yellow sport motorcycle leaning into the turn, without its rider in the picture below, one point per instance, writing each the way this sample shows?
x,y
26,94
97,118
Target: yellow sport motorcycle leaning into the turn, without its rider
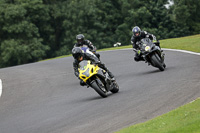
x,y
97,78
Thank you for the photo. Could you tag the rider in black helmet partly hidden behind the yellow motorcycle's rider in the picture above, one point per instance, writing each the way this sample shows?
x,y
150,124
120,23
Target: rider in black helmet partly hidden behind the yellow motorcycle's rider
x,y
81,41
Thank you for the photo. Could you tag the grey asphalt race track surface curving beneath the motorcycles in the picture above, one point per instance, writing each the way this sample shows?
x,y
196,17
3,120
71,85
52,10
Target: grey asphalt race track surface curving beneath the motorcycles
x,y
45,97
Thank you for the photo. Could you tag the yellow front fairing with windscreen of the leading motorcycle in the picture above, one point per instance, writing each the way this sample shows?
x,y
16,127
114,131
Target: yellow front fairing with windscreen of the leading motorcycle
x,y
86,70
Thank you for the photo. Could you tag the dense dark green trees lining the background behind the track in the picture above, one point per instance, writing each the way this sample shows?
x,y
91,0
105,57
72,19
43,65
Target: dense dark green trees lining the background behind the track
x,y
32,30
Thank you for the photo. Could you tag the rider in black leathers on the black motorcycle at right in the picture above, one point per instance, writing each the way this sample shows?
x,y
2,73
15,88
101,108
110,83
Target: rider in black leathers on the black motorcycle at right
x,y
137,36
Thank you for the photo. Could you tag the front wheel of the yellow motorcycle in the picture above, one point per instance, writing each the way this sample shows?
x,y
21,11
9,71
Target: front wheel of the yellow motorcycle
x,y
99,87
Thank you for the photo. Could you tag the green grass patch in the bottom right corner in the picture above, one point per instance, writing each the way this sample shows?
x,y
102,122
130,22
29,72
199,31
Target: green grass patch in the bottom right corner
x,y
185,119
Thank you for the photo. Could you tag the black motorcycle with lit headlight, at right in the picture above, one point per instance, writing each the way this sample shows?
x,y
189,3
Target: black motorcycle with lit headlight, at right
x,y
151,53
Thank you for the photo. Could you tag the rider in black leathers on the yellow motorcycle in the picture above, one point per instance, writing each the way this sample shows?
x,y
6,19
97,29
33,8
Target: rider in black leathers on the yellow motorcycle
x,y
79,56
